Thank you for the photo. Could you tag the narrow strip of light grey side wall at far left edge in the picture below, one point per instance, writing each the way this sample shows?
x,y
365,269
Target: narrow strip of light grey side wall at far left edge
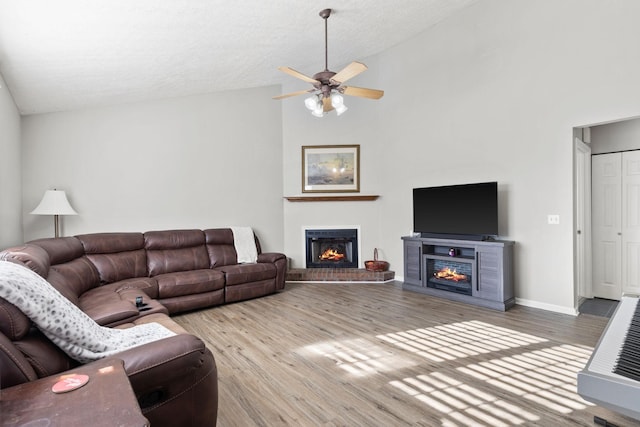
x,y
10,182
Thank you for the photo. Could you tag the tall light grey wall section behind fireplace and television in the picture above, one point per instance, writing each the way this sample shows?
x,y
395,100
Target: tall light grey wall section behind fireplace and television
x,y
491,94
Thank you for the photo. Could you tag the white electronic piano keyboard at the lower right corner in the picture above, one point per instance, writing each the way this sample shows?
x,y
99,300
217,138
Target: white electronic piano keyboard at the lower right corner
x,y
611,377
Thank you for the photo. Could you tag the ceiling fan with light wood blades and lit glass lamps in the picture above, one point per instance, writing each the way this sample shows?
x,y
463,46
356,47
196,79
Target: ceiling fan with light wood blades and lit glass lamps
x,y
328,86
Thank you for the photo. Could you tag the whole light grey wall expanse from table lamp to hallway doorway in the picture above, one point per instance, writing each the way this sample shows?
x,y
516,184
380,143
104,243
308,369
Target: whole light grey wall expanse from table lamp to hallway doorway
x,y
491,94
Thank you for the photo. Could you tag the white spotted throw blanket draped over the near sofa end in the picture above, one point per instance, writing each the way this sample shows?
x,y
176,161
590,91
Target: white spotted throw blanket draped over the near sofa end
x,y
63,323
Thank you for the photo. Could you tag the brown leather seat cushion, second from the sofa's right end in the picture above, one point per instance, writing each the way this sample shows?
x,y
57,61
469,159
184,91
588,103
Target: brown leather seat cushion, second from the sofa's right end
x,y
189,283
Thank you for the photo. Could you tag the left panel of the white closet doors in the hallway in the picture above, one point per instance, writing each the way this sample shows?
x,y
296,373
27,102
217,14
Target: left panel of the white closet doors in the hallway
x,y
606,225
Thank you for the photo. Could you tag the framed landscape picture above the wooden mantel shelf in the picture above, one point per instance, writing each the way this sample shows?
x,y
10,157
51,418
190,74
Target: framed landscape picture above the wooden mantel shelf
x,y
331,169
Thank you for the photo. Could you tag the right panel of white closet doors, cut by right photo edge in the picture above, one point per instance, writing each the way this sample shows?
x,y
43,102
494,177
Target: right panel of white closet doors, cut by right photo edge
x,y
631,221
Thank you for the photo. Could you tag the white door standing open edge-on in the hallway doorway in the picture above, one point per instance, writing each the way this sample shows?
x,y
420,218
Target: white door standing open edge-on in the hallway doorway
x,y
583,220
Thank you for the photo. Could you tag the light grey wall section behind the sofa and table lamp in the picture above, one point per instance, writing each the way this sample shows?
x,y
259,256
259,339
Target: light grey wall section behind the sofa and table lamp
x,y
212,160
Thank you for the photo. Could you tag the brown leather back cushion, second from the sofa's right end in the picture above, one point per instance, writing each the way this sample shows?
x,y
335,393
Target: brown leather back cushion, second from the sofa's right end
x,y
175,250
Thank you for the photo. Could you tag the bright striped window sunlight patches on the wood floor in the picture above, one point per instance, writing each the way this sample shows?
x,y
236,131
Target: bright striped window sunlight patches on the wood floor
x,y
543,376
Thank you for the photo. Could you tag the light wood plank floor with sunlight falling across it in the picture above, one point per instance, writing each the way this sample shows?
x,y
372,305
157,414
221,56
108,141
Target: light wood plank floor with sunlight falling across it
x,y
330,354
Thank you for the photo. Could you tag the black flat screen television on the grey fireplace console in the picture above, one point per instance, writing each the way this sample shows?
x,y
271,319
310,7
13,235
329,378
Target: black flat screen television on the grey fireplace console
x,y
469,210
